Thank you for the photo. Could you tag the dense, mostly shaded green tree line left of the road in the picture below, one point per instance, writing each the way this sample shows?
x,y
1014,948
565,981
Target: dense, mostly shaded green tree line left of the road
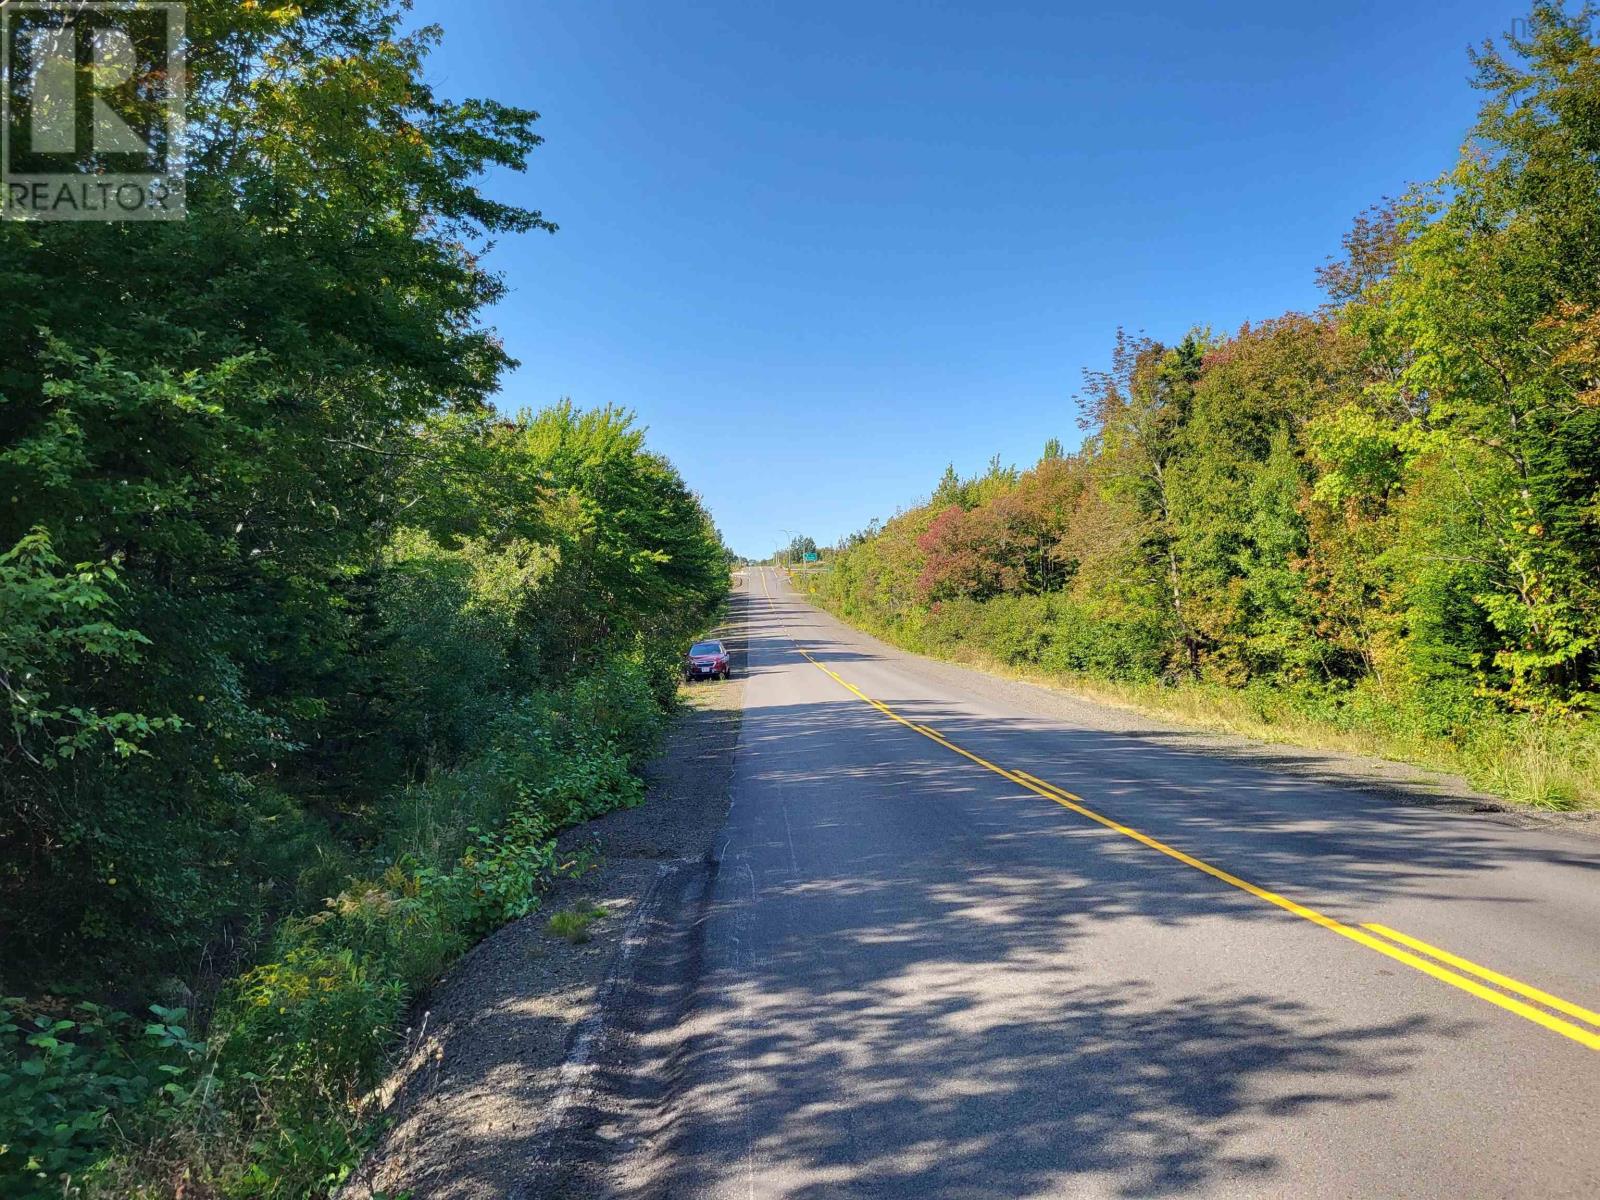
x,y
306,652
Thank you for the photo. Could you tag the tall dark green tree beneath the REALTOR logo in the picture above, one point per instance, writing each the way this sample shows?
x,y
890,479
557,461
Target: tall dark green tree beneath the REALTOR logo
x,y
218,412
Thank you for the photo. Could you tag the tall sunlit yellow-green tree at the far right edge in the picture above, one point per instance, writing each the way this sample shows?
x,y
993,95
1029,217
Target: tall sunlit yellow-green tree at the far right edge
x,y
1489,308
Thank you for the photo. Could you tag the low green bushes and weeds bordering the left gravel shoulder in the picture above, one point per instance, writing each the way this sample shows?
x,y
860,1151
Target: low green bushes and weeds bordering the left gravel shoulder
x,y
303,1036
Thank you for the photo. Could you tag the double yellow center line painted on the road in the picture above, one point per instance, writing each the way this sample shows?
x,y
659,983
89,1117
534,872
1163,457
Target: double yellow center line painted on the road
x,y
1390,943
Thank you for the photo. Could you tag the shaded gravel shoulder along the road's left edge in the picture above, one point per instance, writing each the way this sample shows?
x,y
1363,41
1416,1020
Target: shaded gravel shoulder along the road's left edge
x,y
497,1082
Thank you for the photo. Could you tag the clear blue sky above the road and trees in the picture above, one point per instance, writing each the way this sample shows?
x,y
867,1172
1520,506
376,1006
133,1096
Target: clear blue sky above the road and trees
x,y
826,249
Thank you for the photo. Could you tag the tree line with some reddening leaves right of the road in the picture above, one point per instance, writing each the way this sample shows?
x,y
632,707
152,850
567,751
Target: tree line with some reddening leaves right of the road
x,y
1383,514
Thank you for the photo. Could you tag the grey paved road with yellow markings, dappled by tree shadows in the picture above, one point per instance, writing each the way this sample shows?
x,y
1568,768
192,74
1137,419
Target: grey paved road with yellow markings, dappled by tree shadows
x,y
921,975
